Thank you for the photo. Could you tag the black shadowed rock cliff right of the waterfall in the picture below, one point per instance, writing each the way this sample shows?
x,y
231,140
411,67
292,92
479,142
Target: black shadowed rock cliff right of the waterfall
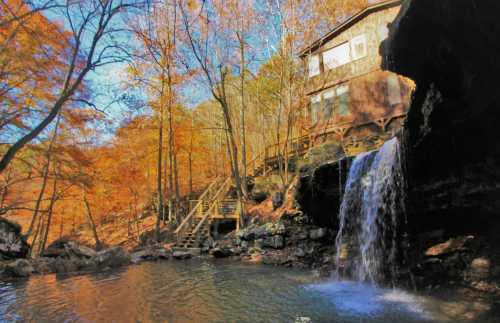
x,y
450,49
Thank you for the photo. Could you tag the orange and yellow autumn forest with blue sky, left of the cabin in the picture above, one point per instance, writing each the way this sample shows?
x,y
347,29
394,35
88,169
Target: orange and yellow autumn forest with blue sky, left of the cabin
x,y
204,87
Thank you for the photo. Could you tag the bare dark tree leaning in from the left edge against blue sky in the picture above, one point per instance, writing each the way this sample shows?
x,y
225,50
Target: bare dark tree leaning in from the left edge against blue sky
x,y
92,44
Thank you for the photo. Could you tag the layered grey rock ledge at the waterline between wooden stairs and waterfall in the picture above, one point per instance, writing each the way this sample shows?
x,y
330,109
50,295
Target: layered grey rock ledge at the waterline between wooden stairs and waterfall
x,y
289,241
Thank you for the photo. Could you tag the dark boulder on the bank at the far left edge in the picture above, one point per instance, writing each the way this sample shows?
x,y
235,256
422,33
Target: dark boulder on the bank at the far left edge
x,y
12,244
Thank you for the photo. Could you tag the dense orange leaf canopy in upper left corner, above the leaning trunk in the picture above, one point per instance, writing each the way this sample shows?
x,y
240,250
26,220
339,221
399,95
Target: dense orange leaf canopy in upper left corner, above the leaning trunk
x,y
34,58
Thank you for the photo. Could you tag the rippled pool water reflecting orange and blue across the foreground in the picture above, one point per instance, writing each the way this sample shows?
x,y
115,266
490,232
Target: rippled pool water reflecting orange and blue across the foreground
x,y
203,291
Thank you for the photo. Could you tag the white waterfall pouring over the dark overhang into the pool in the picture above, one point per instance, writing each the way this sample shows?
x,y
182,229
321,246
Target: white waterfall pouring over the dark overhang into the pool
x,y
369,215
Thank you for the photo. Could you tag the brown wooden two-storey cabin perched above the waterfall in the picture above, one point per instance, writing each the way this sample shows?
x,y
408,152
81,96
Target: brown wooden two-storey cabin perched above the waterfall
x,y
352,100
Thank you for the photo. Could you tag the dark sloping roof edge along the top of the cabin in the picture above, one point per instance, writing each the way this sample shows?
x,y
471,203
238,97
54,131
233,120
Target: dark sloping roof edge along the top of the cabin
x,y
347,24
